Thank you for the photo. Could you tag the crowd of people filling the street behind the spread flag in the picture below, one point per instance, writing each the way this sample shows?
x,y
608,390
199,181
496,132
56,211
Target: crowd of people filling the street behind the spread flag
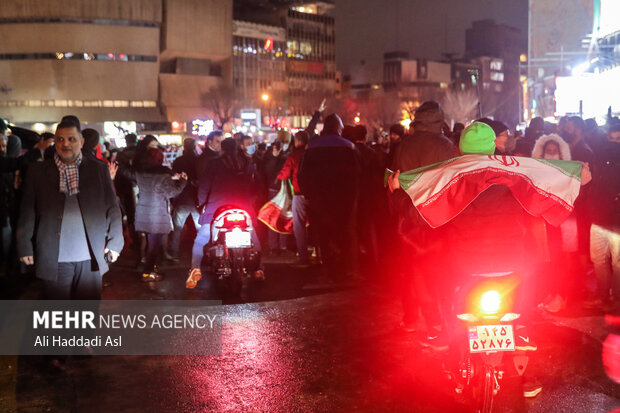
x,y
357,229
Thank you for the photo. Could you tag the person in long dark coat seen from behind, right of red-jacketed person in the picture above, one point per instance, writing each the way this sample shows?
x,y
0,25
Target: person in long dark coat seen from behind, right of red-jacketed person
x,y
329,176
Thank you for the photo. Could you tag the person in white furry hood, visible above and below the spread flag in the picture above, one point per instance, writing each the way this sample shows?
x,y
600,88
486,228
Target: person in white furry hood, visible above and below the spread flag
x,y
562,266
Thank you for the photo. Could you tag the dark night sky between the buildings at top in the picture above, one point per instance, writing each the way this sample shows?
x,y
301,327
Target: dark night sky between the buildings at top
x,y
365,29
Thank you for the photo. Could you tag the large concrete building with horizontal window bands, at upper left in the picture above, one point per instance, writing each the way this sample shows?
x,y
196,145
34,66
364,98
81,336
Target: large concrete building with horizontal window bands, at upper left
x,y
149,61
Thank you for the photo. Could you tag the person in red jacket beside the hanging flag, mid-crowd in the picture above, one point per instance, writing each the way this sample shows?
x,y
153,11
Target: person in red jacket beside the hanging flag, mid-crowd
x,y
300,203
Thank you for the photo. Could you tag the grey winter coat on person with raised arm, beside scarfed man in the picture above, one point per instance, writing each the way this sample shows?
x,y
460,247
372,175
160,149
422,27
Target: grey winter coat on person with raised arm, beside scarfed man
x,y
156,187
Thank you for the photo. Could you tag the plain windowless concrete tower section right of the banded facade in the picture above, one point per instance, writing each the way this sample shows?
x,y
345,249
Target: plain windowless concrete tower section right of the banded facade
x,y
196,55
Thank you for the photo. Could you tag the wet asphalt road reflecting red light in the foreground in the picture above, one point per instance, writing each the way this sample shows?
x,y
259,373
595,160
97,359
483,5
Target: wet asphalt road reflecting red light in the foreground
x,y
293,352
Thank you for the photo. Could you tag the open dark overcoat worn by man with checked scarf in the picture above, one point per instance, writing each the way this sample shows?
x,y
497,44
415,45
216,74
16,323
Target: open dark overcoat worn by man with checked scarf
x,y
41,212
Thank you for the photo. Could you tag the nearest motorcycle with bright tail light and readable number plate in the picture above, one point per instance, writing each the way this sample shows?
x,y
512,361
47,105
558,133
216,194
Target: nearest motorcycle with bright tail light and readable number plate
x,y
487,357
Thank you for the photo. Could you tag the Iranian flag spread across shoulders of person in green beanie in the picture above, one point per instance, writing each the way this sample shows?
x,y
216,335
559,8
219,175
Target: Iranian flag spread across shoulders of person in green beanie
x,y
545,188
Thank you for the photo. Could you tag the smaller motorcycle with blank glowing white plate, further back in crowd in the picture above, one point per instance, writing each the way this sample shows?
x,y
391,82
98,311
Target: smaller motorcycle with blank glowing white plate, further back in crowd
x,y
231,258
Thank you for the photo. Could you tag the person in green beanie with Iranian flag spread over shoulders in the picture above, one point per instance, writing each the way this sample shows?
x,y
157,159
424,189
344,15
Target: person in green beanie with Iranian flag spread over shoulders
x,y
485,212
